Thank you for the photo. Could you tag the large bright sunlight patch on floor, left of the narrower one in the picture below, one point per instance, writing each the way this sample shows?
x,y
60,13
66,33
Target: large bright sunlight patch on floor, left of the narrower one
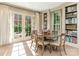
x,y
18,50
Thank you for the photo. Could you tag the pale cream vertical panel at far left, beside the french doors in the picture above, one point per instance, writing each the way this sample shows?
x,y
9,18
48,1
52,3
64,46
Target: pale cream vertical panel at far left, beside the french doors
x,y
4,25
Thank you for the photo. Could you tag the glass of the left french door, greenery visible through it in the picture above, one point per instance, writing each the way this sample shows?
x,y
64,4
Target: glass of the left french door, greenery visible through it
x,y
17,25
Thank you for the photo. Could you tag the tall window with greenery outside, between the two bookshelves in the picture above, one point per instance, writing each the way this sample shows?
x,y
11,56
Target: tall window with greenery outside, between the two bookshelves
x,y
56,22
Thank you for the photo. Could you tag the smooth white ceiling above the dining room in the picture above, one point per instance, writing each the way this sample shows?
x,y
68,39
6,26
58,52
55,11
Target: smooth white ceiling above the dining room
x,y
37,6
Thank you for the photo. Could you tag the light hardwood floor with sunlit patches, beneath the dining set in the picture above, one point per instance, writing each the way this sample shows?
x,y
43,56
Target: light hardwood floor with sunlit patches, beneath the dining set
x,y
23,49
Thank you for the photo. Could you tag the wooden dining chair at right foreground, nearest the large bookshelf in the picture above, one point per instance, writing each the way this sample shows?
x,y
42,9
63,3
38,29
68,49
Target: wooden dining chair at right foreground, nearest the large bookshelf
x,y
59,43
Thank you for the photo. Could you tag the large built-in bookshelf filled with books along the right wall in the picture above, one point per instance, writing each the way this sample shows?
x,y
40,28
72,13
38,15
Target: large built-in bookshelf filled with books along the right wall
x,y
71,23
